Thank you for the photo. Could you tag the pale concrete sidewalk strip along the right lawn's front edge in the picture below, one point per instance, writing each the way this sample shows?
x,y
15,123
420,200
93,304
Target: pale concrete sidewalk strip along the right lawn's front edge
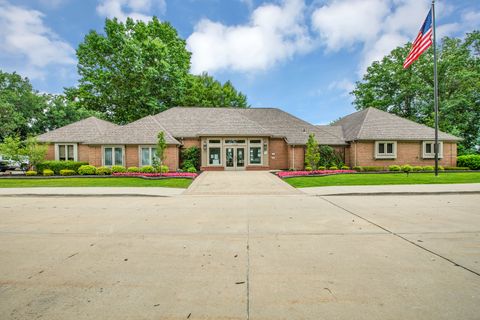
x,y
394,189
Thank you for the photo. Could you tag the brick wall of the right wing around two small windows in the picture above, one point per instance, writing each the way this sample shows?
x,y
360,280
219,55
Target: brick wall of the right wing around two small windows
x,y
408,152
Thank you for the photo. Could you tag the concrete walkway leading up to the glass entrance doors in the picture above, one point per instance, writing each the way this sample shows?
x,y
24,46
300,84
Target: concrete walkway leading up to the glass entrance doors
x,y
240,183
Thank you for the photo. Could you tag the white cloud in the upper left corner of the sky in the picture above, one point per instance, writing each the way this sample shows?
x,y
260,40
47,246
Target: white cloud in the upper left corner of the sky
x,y
25,41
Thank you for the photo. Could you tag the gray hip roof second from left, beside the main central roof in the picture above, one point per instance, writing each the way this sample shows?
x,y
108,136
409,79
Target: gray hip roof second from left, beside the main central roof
x,y
142,131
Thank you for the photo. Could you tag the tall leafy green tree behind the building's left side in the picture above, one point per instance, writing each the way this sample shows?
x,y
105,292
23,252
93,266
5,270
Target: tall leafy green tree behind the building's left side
x,y
135,69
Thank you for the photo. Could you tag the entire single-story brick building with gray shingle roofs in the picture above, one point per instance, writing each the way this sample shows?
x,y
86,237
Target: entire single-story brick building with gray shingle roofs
x,y
248,139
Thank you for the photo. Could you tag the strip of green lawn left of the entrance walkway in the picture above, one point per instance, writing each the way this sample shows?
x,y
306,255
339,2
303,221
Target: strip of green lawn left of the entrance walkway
x,y
95,182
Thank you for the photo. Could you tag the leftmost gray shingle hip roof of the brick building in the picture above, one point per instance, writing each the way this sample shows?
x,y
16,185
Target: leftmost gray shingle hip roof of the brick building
x,y
79,131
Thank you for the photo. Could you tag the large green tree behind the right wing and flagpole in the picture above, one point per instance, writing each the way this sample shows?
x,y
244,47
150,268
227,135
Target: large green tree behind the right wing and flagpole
x,y
409,93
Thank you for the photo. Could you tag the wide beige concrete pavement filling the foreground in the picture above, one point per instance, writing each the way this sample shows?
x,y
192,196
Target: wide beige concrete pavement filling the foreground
x,y
240,257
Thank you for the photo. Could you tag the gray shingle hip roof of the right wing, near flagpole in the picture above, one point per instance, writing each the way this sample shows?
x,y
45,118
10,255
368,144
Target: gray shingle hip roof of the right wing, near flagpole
x,y
375,124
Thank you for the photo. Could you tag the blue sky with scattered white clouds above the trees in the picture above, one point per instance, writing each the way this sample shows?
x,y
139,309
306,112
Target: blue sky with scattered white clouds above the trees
x,y
301,56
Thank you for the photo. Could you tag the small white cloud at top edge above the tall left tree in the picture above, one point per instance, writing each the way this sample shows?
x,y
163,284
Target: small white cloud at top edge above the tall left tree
x,y
135,9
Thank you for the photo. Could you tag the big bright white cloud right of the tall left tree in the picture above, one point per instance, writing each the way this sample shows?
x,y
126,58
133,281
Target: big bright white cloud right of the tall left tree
x,y
273,34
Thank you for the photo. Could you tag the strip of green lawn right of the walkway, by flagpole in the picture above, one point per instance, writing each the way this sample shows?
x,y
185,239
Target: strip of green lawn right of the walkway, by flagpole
x,y
382,179
